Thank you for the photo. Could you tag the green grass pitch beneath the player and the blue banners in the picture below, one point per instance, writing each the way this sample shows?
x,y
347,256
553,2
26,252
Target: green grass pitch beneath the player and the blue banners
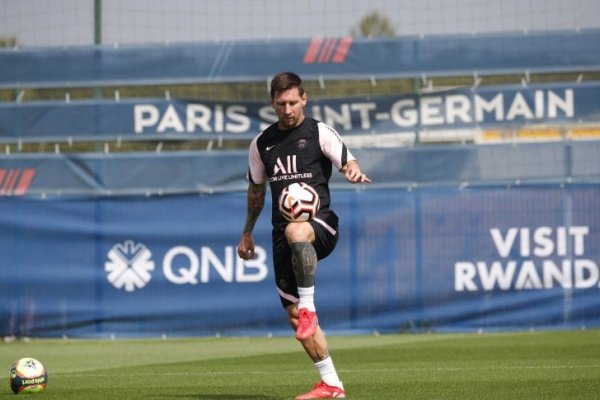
x,y
540,365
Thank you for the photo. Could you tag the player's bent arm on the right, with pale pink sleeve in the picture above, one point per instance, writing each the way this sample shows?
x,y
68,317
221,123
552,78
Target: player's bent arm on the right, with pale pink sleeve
x,y
334,148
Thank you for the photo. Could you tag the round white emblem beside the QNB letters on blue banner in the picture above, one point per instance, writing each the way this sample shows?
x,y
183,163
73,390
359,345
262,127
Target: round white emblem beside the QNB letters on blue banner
x,y
129,265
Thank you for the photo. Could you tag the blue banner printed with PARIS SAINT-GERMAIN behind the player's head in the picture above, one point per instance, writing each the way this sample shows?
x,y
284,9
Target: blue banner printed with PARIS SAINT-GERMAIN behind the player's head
x,y
465,108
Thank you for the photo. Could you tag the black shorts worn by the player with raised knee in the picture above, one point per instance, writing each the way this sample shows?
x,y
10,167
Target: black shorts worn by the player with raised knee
x,y
325,226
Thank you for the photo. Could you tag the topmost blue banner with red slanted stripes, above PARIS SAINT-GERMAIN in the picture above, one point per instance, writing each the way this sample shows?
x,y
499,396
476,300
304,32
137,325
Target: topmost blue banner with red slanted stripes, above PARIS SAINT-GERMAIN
x,y
329,58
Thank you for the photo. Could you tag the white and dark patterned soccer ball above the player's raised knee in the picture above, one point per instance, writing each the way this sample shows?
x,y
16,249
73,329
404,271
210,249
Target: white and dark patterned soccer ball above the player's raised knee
x,y
299,202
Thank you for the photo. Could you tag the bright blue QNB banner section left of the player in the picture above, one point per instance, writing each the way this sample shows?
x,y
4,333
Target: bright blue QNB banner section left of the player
x,y
130,266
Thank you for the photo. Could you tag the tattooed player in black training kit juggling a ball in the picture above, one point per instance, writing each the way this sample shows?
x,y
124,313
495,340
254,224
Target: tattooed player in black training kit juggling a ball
x,y
298,148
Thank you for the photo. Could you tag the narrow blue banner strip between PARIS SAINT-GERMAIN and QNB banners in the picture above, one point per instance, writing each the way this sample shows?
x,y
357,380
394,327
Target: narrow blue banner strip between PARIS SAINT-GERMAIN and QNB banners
x,y
146,174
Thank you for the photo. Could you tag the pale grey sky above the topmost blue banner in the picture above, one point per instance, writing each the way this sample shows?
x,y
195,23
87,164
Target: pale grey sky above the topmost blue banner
x,y
71,22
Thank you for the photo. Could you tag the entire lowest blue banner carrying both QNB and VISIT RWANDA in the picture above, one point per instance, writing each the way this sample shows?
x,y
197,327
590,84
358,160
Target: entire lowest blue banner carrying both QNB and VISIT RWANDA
x,y
428,259
